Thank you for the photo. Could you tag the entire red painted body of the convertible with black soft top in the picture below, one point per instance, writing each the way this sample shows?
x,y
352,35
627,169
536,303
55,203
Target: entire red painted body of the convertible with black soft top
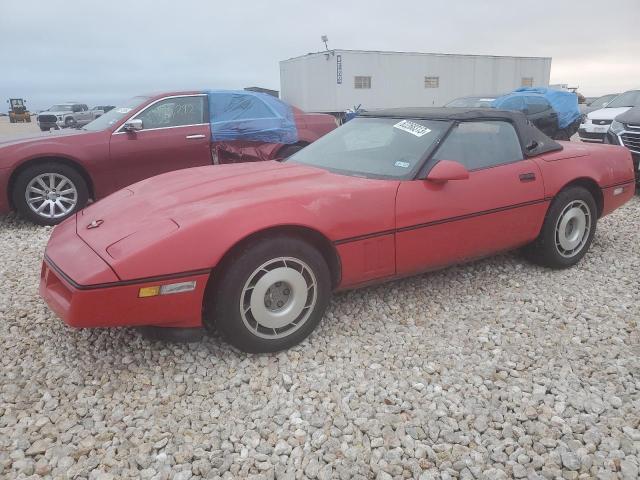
x,y
178,226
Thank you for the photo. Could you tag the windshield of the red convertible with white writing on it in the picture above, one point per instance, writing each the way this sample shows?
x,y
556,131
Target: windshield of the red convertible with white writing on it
x,y
374,147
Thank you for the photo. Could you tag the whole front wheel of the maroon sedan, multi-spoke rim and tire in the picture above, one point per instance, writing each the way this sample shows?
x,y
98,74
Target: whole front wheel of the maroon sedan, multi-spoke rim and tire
x,y
50,192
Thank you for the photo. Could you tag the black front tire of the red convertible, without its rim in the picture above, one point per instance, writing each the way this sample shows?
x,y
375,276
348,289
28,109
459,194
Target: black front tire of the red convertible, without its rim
x,y
222,306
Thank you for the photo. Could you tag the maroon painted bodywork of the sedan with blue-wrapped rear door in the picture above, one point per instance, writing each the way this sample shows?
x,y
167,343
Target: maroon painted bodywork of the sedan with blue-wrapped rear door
x,y
111,160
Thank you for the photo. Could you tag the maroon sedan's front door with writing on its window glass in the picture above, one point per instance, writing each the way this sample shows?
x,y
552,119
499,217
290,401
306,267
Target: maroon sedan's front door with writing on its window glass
x,y
175,134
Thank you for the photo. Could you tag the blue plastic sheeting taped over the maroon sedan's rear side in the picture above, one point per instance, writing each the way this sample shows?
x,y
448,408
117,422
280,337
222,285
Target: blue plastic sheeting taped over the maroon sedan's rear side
x,y
254,116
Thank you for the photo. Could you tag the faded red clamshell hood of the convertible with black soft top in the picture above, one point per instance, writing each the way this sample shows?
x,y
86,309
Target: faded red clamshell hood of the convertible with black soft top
x,y
228,201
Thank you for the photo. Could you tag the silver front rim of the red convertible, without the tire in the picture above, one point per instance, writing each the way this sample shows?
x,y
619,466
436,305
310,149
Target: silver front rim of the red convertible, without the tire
x,y
278,298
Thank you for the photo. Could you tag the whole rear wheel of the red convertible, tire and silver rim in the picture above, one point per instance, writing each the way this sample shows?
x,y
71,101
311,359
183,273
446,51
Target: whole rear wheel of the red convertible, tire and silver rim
x,y
567,231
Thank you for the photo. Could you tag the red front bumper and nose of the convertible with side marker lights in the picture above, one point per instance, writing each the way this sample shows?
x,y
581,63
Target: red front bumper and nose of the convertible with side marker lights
x,y
82,290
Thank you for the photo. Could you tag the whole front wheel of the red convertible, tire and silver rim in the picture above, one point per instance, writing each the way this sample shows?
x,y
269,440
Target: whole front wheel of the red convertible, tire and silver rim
x,y
270,295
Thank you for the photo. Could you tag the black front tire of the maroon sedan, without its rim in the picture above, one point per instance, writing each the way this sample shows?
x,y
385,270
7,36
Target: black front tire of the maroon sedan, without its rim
x,y
30,173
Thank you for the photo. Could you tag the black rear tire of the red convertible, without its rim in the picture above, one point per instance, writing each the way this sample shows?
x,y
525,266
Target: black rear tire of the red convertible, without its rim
x,y
546,250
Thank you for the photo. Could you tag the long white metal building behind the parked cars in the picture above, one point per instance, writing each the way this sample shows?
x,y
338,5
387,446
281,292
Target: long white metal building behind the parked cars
x,y
336,80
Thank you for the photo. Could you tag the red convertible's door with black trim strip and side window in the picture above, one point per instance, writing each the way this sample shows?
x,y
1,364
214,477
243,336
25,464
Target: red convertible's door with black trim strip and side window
x,y
499,207
